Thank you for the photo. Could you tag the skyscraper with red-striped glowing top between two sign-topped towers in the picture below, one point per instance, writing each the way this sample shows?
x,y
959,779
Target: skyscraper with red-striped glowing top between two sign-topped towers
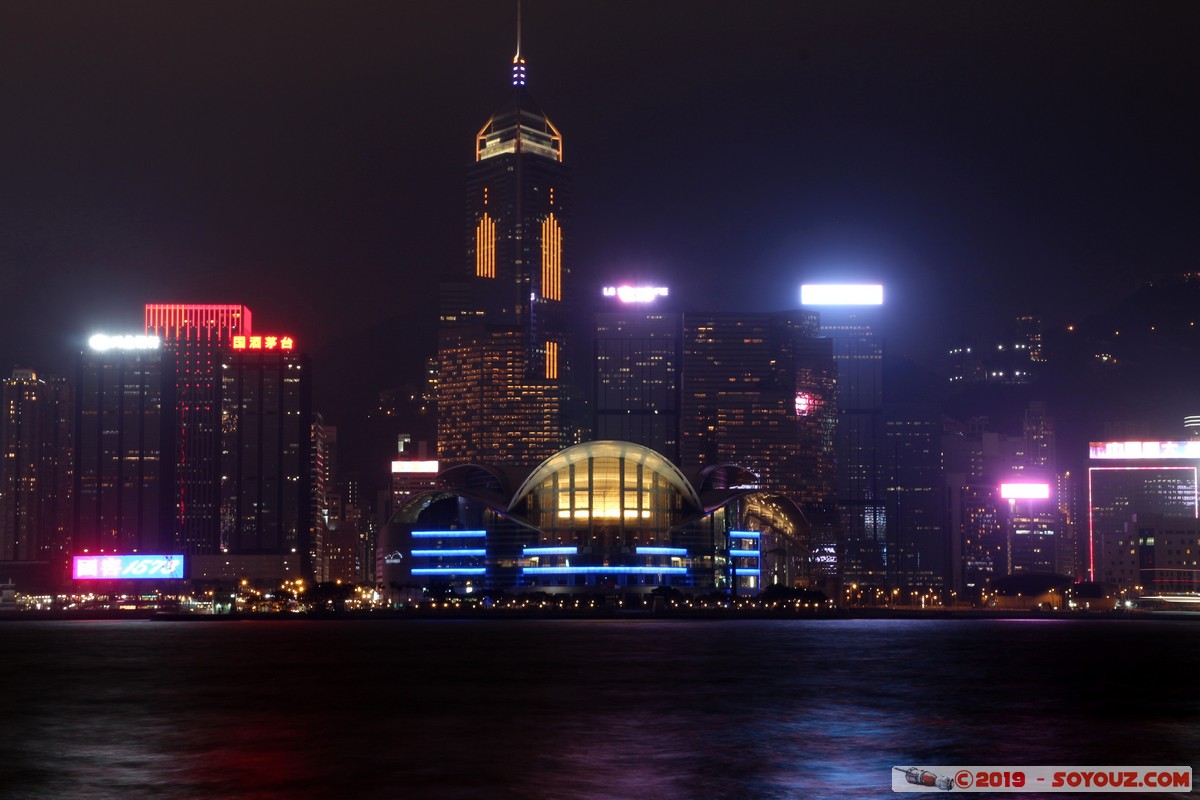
x,y
196,335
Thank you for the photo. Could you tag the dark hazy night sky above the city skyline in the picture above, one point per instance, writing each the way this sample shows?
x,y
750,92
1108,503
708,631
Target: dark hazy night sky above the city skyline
x,y
308,159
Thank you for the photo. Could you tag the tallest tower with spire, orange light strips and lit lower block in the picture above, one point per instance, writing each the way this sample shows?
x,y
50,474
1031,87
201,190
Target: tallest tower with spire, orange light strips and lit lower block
x,y
506,380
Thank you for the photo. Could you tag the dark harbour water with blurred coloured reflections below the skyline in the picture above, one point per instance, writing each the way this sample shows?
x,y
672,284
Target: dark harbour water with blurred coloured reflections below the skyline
x,y
302,711
